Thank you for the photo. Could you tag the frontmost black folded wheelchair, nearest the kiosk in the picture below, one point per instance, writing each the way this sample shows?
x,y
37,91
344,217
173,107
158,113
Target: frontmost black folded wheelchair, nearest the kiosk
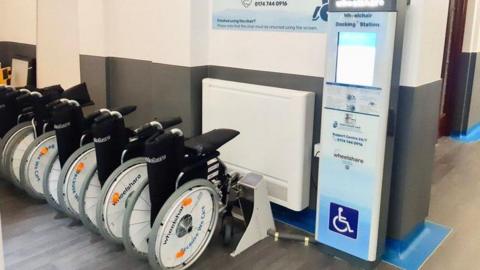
x,y
172,216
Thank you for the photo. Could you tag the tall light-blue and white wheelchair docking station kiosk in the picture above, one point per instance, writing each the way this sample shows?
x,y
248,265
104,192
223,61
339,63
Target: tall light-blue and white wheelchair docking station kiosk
x,y
356,104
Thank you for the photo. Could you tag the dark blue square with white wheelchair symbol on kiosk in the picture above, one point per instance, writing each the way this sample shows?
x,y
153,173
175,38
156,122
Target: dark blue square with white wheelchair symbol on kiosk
x,y
343,220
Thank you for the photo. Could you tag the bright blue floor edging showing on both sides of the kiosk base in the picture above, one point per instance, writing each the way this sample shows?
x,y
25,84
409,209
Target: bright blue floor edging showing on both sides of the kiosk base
x,y
409,254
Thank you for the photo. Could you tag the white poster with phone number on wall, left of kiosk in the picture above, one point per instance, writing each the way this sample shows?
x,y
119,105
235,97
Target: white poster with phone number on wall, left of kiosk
x,y
270,16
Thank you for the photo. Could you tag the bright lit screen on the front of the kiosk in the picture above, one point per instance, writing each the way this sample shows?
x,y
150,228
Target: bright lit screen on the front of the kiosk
x,y
356,58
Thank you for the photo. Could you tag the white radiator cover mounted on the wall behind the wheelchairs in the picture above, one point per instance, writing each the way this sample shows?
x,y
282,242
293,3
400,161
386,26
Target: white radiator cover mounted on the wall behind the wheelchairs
x,y
276,130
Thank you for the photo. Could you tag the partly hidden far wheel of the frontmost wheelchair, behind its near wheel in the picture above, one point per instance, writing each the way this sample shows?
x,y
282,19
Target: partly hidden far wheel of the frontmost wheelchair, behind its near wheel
x,y
136,223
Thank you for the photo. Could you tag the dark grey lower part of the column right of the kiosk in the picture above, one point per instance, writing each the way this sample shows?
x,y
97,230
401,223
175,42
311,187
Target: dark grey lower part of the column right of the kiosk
x,y
416,136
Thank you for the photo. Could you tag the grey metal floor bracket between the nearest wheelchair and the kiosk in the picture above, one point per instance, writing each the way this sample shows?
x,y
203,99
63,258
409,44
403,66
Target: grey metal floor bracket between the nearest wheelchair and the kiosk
x,y
262,217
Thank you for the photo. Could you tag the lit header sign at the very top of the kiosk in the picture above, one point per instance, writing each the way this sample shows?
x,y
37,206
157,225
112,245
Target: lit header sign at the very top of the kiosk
x,y
362,5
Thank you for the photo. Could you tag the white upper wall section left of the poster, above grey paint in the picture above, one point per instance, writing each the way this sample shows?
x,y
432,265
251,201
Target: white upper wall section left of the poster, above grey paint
x,y
161,31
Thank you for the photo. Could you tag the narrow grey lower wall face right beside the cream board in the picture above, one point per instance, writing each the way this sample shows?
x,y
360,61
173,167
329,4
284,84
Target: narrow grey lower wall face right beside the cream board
x,y
93,71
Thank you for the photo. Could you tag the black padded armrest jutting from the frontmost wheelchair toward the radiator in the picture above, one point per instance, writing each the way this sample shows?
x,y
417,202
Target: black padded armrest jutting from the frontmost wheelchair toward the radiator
x,y
211,141
